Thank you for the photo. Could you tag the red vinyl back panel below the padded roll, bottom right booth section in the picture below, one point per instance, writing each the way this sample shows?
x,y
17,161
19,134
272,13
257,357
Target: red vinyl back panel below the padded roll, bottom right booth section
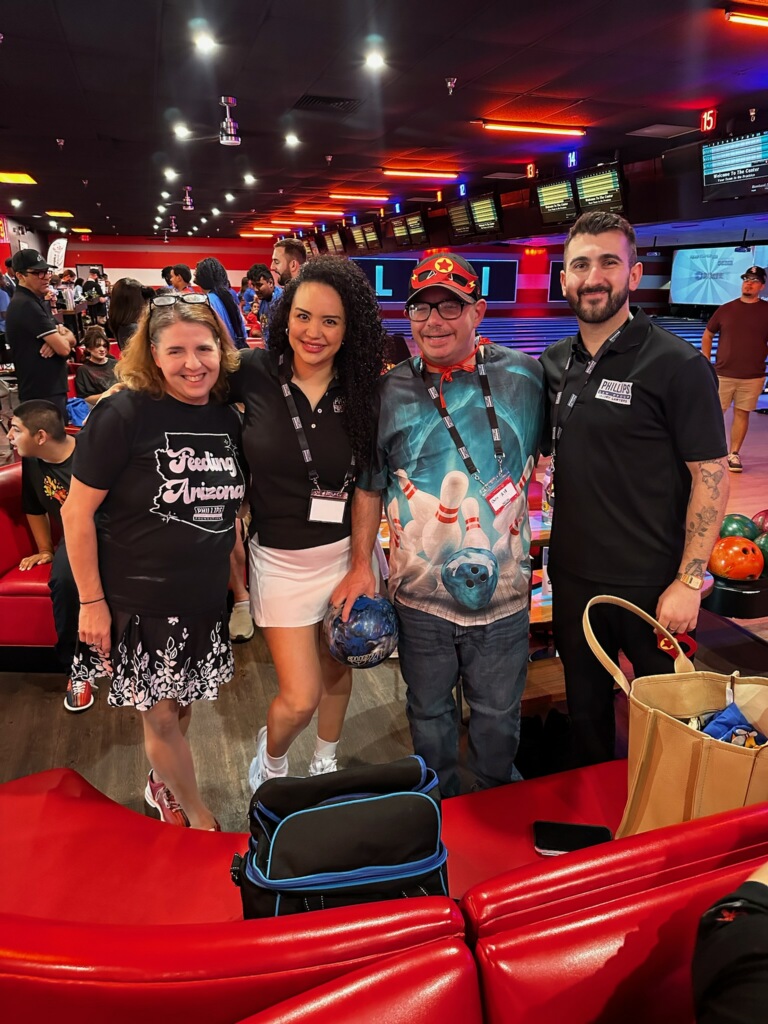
x,y
625,962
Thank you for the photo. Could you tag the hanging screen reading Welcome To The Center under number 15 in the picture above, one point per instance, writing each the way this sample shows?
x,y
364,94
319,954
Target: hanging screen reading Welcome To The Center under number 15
x,y
736,168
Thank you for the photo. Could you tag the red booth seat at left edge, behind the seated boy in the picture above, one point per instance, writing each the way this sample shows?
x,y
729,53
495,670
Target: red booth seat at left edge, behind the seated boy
x,y
26,610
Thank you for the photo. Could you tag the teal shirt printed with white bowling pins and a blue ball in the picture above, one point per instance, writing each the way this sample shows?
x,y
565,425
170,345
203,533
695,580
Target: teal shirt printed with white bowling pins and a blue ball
x,y
450,554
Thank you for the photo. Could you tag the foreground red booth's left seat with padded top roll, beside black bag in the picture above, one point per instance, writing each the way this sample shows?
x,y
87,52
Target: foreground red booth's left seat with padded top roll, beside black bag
x,y
107,915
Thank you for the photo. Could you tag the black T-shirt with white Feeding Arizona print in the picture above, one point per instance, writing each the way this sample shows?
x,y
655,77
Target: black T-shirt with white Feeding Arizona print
x,y
175,477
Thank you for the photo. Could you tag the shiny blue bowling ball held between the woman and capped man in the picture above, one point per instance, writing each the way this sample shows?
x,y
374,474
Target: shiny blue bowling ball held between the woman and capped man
x,y
368,638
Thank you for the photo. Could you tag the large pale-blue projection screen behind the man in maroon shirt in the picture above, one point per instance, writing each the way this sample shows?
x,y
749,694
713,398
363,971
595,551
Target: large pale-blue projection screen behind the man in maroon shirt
x,y
713,276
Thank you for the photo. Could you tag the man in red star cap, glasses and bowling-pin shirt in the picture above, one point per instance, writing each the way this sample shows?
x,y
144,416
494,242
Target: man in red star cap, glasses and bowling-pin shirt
x,y
457,440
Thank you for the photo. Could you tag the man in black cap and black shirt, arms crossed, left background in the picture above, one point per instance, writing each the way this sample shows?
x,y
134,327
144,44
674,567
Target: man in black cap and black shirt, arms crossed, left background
x,y
39,346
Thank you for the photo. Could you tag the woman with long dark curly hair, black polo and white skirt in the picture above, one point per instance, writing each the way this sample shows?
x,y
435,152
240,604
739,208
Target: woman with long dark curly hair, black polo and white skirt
x,y
309,426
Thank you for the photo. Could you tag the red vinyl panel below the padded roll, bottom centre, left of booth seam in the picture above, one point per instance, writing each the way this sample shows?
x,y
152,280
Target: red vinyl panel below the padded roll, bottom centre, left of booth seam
x,y
436,985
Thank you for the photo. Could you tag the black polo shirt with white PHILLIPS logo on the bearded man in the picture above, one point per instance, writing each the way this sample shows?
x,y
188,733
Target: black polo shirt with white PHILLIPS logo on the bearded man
x,y
622,486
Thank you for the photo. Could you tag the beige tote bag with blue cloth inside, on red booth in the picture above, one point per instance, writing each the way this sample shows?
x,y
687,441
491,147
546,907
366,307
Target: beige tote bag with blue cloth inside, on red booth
x,y
677,774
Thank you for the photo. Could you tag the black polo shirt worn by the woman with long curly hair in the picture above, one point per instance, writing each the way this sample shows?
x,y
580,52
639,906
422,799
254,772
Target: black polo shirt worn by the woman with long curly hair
x,y
280,484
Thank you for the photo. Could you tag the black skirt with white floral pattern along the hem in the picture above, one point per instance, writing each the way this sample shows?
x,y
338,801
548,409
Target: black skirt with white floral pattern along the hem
x,y
153,658
